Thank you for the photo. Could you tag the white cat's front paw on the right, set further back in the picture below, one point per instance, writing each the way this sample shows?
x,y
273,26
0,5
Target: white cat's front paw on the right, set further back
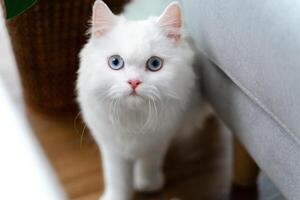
x,y
149,182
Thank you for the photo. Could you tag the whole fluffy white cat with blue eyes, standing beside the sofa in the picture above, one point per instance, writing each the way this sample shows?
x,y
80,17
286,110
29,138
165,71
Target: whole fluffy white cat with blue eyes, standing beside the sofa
x,y
135,86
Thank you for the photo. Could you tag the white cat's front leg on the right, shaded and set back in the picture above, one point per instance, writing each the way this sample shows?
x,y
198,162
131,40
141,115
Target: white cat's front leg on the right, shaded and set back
x,y
148,171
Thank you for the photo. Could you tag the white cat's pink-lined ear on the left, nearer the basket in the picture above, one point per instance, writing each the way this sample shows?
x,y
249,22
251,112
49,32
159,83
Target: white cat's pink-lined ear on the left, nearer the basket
x,y
103,19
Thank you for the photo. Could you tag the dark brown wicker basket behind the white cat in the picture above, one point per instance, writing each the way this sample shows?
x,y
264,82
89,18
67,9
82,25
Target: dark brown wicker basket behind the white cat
x,y
46,40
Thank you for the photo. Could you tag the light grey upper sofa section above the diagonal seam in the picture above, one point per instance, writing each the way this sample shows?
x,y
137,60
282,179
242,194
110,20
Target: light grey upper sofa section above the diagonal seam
x,y
257,44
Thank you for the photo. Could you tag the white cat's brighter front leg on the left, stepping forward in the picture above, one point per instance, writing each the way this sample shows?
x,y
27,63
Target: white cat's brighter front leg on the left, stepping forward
x,y
117,176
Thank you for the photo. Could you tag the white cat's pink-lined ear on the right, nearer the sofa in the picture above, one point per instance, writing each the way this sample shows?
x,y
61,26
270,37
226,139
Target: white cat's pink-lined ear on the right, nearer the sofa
x,y
170,21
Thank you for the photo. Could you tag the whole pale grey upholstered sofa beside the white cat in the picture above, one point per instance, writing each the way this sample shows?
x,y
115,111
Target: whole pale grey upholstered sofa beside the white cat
x,y
252,77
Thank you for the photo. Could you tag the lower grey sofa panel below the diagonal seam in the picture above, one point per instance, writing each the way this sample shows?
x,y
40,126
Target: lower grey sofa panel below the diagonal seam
x,y
276,154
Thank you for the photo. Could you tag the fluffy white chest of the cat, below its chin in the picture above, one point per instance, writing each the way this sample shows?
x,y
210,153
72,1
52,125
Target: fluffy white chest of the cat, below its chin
x,y
130,132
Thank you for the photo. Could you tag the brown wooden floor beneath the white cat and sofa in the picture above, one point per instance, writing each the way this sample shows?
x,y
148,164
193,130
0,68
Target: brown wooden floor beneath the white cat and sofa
x,y
197,169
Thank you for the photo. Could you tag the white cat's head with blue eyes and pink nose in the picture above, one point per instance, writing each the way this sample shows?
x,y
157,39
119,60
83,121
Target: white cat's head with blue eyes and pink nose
x,y
136,61
